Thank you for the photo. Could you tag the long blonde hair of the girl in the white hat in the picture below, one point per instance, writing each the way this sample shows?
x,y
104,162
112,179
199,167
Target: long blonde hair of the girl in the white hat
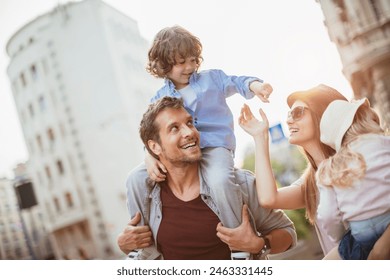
x,y
347,166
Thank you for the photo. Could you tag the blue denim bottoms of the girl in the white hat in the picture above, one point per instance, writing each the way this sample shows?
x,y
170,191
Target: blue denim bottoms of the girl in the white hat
x,y
358,242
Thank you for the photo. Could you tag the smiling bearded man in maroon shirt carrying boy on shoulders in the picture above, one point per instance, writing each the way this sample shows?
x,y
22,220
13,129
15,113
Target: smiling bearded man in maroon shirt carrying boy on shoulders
x,y
181,212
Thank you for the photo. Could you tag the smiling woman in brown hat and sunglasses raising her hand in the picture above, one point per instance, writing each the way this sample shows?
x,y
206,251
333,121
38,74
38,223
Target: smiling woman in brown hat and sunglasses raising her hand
x,y
303,122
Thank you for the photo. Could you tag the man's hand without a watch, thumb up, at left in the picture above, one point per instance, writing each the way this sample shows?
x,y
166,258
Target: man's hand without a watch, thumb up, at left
x,y
134,237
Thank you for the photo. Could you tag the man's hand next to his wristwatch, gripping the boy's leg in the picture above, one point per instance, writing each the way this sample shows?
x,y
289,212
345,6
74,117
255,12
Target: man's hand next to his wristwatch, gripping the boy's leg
x,y
241,238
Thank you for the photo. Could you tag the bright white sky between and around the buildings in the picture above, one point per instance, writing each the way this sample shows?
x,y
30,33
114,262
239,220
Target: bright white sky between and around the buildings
x,y
283,42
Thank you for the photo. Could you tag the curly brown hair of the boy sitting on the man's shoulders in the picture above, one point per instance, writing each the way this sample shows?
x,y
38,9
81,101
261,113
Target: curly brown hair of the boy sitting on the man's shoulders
x,y
169,43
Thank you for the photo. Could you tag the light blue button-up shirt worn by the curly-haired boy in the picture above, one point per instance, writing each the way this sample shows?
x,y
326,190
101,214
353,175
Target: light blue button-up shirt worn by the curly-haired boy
x,y
212,116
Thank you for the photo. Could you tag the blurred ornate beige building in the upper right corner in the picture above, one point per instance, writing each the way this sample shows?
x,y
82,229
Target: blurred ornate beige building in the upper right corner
x,y
361,31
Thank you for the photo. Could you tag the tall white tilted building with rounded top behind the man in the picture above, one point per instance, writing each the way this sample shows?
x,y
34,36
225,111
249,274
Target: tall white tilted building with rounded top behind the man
x,y
80,87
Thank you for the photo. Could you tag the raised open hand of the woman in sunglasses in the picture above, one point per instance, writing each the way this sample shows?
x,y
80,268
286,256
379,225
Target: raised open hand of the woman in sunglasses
x,y
251,125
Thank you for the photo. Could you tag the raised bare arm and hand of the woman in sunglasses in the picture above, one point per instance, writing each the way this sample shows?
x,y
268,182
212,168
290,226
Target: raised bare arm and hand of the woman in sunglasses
x,y
268,194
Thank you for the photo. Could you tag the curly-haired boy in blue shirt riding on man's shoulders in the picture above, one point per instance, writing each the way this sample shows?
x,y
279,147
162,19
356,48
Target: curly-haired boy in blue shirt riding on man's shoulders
x,y
176,56
